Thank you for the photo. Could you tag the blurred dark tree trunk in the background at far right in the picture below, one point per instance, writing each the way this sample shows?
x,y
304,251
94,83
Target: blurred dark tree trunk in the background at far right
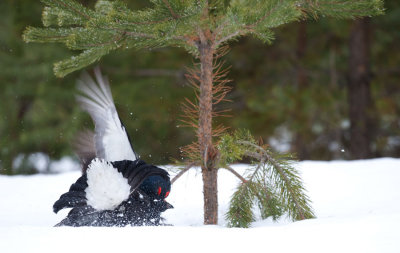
x,y
359,94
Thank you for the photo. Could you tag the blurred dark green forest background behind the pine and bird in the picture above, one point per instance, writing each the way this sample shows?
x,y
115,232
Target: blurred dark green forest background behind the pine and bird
x,y
324,89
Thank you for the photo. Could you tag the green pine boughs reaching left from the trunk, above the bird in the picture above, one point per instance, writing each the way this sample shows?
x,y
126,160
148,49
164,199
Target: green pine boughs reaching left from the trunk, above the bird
x,y
111,25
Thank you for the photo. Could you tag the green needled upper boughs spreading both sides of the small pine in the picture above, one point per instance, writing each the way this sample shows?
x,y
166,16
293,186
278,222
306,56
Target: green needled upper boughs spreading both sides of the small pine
x,y
176,23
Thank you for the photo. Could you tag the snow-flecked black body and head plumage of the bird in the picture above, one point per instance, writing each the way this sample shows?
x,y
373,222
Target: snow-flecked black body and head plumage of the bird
x,y
143,207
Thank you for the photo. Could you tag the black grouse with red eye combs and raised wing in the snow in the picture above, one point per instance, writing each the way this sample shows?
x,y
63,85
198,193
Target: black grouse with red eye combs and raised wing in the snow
x,y
116,187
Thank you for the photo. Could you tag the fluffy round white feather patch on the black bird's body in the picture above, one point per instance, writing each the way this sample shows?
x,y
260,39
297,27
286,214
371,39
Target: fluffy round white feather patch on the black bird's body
x,y
107,187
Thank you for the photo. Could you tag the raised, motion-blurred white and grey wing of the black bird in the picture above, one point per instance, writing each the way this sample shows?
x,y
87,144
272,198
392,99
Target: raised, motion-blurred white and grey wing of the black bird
x,y
111,139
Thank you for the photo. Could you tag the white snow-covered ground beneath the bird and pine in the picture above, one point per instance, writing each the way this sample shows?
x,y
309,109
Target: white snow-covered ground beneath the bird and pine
x,y
357,204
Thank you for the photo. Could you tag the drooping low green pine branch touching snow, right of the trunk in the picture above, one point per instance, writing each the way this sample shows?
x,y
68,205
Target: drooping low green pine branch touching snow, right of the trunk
x,y
272,182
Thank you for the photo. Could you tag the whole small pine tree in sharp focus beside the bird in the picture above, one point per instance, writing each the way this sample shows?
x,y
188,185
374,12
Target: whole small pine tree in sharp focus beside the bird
x,y
202,27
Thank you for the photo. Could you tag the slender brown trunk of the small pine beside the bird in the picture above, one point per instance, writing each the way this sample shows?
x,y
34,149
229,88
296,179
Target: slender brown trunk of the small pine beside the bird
x,y
209,171
